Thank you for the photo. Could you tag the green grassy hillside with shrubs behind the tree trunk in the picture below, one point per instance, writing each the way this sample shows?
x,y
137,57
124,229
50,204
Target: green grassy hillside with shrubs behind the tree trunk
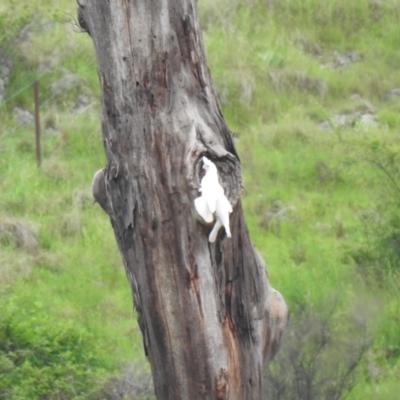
x,y
311,92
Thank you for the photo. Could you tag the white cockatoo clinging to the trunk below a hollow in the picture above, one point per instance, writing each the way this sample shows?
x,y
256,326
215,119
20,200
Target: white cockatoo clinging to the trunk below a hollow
x,y
213,201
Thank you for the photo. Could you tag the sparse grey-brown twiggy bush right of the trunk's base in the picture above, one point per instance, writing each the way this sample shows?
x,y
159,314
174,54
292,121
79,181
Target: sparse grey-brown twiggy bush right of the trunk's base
x,y
318,358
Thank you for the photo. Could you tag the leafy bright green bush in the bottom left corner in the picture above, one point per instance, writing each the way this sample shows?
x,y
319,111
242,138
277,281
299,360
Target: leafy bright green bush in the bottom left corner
x,y
44,359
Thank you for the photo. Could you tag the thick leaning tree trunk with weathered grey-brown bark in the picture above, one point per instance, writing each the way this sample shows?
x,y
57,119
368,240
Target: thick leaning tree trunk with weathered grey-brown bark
x,y
209,318
